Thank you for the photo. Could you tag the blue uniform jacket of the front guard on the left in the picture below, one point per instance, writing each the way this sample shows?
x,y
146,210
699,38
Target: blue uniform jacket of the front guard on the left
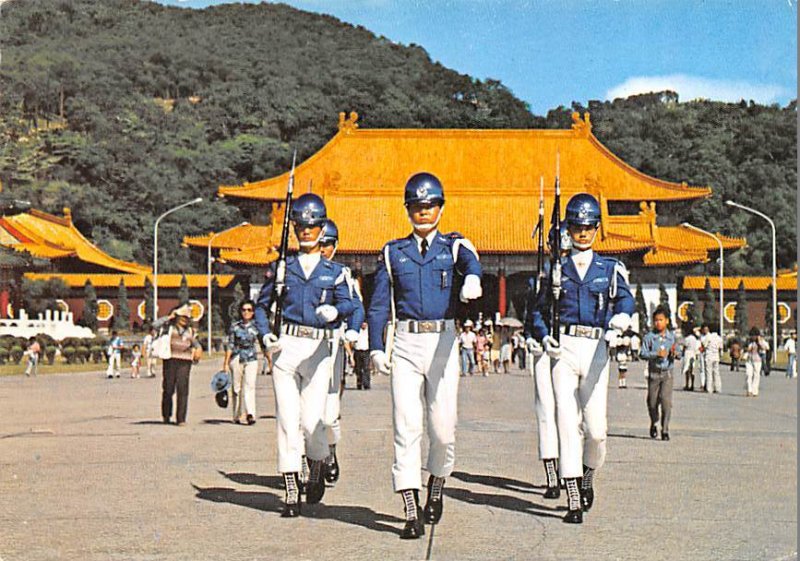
x,y
301,297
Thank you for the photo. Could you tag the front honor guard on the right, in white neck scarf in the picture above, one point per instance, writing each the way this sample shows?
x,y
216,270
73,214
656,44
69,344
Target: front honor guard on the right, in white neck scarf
x,y
595,307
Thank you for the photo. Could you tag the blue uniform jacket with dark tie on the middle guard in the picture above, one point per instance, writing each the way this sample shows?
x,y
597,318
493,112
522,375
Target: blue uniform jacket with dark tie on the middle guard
x,y
424,287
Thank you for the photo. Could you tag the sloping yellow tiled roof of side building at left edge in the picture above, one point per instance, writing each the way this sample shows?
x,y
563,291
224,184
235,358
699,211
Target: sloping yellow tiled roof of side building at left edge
x,y
52,237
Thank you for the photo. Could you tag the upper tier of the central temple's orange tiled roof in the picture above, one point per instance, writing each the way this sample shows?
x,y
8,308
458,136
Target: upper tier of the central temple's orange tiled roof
x,y
469,163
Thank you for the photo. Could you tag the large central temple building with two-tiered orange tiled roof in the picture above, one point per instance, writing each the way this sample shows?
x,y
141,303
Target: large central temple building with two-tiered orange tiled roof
x,y
492,188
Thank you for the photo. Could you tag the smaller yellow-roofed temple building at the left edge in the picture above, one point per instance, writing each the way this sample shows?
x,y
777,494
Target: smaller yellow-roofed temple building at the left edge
x,y
74,260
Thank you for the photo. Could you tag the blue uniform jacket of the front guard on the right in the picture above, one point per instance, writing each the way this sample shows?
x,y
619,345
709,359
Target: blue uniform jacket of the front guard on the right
x,y
602,293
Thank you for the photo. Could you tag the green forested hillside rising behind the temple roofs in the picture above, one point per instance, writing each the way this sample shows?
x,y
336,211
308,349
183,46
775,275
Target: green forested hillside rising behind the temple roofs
x,y
123,108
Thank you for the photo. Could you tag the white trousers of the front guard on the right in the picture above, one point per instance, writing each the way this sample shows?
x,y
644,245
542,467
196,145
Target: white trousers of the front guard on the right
x,y
580,382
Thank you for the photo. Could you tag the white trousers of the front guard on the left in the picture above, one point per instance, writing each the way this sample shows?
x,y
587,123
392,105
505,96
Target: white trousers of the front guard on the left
x,y
301,375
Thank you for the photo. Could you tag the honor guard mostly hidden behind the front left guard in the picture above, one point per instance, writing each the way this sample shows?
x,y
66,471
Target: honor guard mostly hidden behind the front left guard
x,y
348,333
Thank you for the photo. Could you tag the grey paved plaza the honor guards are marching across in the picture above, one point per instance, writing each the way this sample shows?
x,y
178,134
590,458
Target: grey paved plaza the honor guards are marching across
x,y
89,472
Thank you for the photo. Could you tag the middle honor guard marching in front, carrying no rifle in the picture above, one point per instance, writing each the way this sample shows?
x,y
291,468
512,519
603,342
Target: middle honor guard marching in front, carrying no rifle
x,y
417,282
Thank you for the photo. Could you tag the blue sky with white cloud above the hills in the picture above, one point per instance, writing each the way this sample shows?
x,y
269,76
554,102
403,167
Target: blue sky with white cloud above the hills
x,y
553,52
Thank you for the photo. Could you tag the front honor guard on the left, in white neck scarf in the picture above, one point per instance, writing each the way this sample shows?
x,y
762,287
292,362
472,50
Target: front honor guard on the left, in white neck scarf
x,y
316,297
